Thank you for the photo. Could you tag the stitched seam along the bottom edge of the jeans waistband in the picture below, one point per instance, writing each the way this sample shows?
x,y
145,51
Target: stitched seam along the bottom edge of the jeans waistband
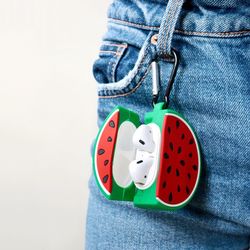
x,y
184,32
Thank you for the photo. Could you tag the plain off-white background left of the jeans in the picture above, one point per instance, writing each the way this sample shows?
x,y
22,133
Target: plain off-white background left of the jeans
x,y
47,120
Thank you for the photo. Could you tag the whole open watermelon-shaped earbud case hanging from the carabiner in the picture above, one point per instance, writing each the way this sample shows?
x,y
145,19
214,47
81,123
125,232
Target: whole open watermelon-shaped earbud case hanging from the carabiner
x,y
175,165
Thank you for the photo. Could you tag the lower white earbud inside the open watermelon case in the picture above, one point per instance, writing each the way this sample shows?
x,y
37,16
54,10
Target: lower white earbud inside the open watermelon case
x,y
139,170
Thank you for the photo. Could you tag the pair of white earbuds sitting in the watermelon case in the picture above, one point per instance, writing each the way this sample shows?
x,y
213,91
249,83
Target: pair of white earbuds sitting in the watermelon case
x,y
144,143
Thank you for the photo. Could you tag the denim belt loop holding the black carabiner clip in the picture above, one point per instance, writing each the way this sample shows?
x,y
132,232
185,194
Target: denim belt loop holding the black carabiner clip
x,y
167,27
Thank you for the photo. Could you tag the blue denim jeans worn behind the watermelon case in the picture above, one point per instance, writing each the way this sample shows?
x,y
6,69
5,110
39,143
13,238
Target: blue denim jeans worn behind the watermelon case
x,y
211,90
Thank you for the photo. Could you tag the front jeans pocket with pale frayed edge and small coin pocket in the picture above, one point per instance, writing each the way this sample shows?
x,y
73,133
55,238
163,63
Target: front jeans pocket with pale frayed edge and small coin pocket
x,y
121,66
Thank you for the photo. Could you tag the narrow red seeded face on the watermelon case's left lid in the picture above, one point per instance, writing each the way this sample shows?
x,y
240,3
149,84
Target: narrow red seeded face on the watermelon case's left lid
x,y
104,152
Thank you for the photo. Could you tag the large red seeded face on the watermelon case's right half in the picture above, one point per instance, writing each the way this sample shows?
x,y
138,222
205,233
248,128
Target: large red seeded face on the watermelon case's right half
x,y
180,162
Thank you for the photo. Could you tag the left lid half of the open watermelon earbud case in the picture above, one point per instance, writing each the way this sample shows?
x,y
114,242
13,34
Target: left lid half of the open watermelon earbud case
x,y
113,152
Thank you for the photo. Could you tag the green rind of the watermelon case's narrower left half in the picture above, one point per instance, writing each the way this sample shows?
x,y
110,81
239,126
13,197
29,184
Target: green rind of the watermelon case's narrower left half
x,y
117,193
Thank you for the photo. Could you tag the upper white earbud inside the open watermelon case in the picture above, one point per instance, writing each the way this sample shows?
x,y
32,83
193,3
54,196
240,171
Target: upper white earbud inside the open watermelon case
x,y
143,138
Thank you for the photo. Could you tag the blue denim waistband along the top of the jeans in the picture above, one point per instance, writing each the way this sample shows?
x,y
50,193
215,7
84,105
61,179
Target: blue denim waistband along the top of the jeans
x,y
196,17
